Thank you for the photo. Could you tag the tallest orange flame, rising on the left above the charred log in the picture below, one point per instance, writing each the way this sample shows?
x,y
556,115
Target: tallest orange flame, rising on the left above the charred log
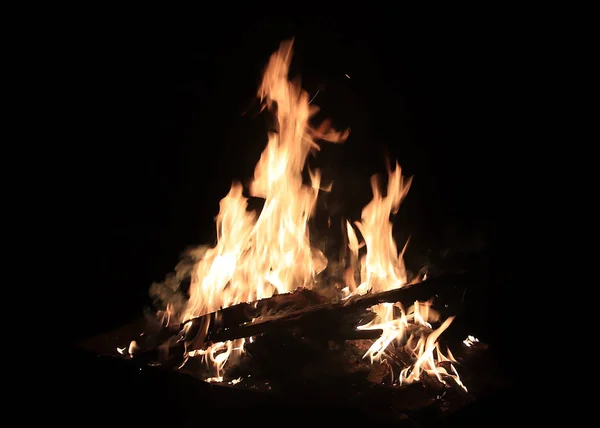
x,y
256,257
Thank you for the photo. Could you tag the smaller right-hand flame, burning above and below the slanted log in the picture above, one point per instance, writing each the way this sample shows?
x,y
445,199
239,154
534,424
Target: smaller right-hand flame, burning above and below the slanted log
x,y
382,269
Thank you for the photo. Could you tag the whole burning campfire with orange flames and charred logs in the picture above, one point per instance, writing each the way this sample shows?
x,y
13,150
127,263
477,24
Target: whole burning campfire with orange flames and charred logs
x,y
265,309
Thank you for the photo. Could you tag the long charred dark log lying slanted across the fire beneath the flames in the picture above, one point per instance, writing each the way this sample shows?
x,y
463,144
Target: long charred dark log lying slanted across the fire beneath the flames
x,y
305,312
